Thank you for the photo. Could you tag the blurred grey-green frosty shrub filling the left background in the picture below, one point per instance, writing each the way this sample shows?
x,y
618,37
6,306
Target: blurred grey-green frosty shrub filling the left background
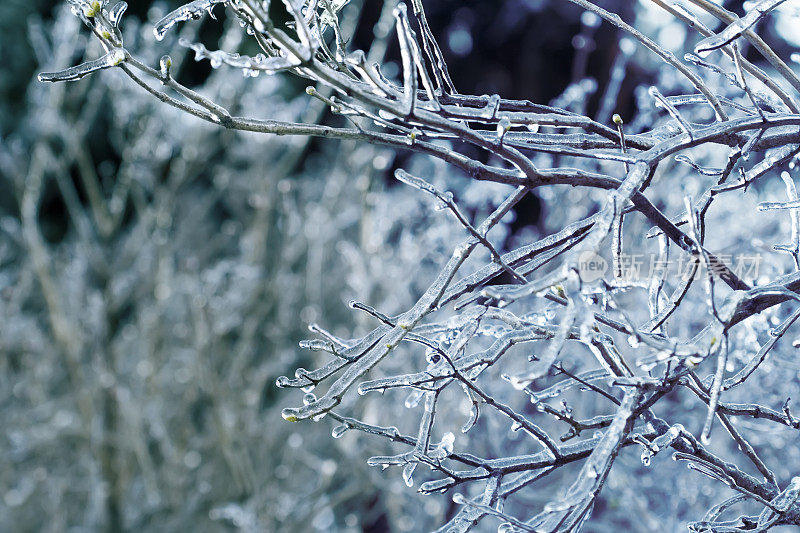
x,y
142,335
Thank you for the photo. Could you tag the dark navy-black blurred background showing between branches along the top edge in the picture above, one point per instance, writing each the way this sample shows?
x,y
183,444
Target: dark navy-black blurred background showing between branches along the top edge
x,y
519,48
